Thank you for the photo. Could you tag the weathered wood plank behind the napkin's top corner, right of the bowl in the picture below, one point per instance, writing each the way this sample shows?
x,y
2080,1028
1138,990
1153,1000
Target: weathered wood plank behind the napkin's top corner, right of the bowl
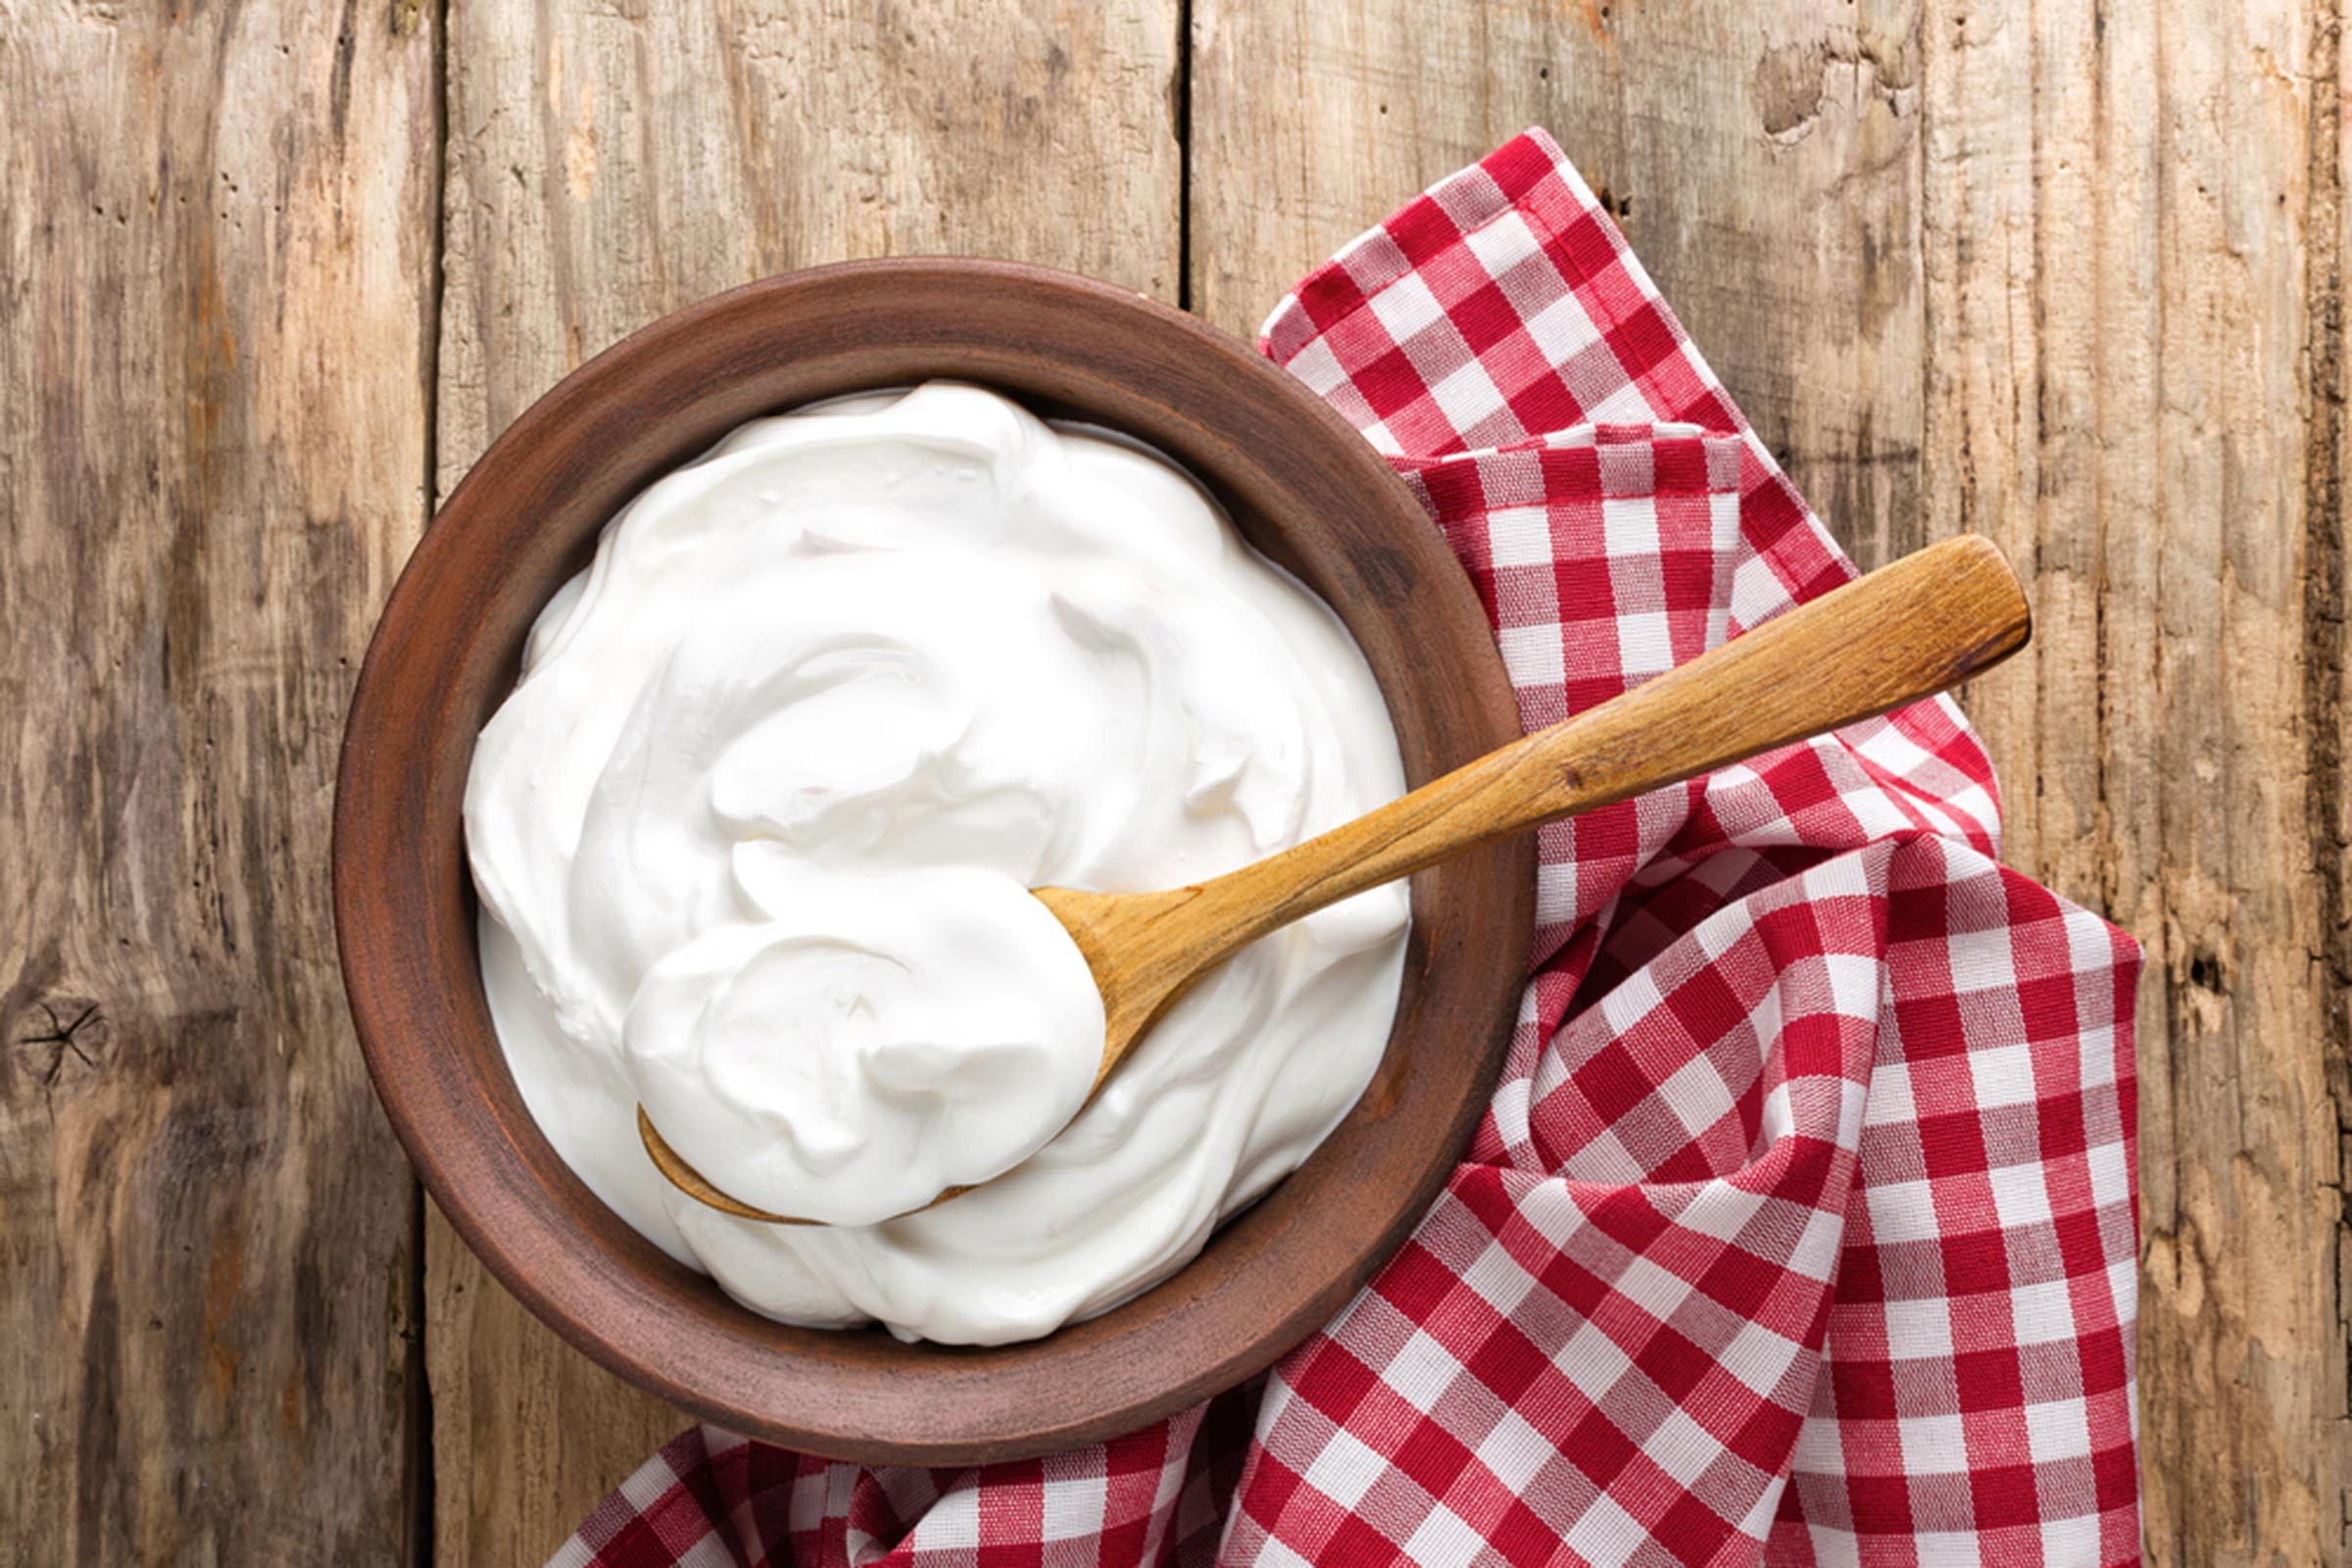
x,y
1763,159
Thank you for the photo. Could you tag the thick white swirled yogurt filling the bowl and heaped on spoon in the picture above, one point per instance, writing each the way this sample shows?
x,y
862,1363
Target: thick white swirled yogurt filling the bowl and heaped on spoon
x,y
756,836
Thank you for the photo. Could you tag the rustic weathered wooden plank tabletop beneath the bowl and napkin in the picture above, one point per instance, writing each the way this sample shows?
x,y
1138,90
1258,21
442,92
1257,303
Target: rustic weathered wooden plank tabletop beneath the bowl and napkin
x,y
274,274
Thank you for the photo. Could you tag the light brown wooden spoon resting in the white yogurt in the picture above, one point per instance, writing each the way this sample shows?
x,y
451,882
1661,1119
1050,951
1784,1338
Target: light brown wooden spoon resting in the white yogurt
x,y
1906,631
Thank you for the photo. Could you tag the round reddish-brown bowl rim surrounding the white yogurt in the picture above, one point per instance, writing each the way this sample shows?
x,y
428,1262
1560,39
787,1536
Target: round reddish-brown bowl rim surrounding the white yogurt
x,y
1302,485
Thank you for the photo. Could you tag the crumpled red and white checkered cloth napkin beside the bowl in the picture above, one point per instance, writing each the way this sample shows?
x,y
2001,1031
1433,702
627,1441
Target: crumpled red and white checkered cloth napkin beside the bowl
x,y
1803,1224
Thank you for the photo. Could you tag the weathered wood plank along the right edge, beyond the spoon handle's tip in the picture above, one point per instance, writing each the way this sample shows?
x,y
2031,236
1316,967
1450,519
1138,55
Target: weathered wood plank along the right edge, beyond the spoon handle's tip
x,y
2137,384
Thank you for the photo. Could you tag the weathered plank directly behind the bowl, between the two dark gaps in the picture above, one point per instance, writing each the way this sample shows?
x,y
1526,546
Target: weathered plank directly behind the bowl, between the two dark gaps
x,y
613,163
